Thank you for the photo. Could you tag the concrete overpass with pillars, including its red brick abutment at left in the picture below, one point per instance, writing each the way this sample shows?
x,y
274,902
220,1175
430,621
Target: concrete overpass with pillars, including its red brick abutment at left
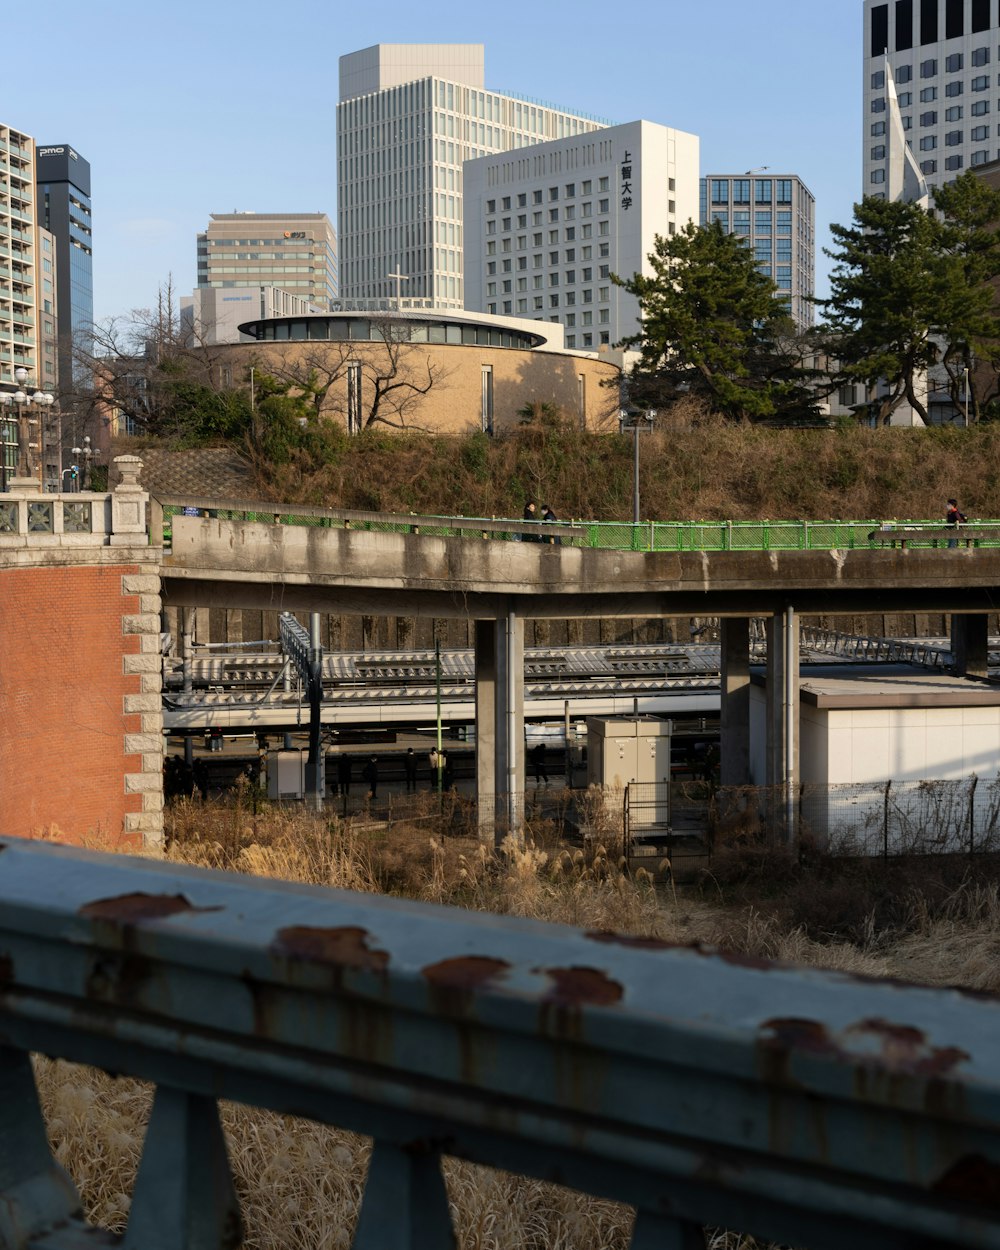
x,y
84,578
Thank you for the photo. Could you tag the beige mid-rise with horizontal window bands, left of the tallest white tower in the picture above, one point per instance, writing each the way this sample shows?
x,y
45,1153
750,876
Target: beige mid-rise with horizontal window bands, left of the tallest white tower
x,y
296,252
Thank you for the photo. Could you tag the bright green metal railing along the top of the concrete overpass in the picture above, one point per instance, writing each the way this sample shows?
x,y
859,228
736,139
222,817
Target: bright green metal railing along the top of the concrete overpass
x,y
766,536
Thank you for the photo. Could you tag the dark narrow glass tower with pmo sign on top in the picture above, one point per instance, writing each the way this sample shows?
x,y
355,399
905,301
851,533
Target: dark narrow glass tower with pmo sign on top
x,y
63,208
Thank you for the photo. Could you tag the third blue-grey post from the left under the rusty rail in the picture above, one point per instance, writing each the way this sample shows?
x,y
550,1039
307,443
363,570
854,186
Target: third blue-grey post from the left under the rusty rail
x,y
406,1203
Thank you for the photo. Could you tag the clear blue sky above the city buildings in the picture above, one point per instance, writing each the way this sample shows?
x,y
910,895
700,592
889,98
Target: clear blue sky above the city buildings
x,y
187,109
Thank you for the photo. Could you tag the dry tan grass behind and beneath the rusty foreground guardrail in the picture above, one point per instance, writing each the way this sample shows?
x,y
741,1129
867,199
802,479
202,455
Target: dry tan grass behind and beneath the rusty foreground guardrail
x,y
301,1183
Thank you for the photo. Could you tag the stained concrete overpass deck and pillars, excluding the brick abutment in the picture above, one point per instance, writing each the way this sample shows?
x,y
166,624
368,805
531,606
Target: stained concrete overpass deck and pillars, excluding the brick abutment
x,y
501,584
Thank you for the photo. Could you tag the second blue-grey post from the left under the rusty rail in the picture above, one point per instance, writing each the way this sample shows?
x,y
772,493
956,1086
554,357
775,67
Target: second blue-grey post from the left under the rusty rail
x,y
184,1196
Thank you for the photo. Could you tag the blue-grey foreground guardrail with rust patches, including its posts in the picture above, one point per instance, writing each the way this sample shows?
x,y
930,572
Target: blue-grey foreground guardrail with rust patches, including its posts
x,y
703,1089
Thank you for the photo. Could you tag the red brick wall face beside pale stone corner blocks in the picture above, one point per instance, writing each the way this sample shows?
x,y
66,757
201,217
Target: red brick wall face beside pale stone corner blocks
x,y
63,691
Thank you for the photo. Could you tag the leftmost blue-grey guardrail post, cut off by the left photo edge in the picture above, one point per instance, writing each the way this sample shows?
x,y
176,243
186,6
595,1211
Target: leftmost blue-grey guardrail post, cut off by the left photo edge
x,y
36,1193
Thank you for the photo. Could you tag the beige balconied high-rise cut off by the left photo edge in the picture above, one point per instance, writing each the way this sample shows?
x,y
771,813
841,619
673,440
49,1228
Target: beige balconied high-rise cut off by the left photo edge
x,y
18,291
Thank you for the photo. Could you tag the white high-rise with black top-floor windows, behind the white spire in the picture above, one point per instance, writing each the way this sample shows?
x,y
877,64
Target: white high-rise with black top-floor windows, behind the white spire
x,y
944,57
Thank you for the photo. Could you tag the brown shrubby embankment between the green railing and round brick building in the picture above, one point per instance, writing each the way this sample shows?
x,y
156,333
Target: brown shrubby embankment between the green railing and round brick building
x,y
708,471
